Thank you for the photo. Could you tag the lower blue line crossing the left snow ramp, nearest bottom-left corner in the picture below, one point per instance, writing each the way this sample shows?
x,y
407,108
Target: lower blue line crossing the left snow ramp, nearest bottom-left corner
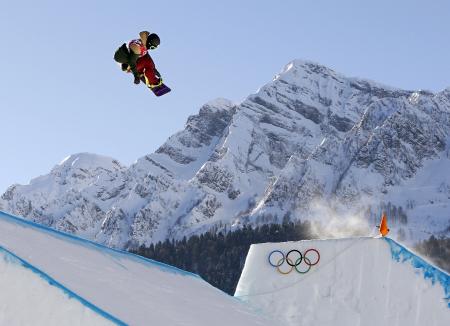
x,y
13,258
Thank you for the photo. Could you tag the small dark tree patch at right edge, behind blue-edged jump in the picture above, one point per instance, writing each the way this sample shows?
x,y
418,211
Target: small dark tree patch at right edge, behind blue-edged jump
x,y
437,250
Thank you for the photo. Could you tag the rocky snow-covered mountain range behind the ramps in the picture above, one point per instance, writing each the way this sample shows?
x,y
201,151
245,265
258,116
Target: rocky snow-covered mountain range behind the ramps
x,y
311,144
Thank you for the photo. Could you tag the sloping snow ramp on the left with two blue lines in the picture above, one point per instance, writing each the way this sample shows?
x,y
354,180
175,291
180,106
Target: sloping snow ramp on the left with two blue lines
x,y
51,278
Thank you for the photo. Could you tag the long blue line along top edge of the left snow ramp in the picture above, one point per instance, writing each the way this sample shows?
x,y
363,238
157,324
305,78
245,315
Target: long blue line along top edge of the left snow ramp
x,y
115,253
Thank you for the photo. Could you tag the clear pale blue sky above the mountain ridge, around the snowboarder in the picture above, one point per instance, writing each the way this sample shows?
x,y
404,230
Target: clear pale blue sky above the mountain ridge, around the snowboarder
x,y
61,93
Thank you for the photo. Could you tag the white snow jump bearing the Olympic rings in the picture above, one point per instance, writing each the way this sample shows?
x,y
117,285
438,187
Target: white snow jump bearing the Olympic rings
x,y
356,281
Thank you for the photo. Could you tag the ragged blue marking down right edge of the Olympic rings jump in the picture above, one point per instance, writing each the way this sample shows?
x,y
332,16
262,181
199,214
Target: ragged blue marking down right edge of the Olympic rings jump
x,y
429,272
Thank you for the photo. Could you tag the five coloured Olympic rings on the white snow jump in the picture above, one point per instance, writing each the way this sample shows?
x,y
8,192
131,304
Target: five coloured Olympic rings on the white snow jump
x,y
302,263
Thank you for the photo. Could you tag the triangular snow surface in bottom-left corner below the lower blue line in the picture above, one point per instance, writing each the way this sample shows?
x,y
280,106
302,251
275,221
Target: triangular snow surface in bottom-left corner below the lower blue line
x,y
29,296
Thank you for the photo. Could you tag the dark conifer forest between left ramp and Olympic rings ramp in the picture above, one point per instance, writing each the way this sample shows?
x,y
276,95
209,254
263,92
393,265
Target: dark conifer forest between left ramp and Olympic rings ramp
x,y
219,257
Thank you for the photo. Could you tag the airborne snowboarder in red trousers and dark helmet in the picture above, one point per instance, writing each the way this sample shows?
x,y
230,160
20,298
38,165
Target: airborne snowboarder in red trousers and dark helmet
x,y
136,59
